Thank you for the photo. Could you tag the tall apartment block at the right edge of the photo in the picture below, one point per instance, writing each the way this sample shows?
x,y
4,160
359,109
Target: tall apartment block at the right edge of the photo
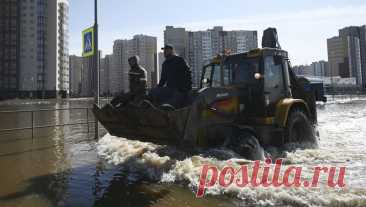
x,y
347,54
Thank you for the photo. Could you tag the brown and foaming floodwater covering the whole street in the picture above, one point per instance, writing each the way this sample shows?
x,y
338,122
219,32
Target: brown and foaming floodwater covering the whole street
x,y
65,166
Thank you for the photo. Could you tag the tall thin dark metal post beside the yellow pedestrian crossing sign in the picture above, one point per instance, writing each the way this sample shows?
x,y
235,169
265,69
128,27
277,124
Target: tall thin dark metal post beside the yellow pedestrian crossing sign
x,y
96,64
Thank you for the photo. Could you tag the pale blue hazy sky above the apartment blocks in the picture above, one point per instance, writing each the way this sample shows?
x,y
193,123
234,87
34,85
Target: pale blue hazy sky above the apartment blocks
x,y
303,25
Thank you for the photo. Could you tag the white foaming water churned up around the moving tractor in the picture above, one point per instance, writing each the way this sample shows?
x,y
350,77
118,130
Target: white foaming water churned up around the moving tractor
x,y
342,143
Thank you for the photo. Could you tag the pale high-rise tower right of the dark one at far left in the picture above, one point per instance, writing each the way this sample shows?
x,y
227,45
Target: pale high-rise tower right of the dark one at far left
x,y
44,58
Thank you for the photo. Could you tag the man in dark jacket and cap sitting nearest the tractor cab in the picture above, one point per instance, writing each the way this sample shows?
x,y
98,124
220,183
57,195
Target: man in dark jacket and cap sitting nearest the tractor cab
x,y
175,82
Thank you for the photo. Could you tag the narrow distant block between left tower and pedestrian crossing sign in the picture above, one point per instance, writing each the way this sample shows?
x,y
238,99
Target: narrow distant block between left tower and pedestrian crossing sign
x,y
76,68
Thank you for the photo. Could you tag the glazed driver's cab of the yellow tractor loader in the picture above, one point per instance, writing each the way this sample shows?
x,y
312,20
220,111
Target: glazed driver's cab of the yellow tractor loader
x,y
260,77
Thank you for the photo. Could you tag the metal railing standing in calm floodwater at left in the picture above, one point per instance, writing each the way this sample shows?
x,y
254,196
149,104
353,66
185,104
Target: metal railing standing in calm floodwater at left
x,y
32,119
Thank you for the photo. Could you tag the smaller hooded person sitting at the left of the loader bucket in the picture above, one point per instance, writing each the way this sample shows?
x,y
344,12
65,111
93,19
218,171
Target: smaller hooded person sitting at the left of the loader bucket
x,y
137,84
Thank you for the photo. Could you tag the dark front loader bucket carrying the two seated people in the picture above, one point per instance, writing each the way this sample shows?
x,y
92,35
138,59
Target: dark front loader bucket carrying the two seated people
x,y
147,124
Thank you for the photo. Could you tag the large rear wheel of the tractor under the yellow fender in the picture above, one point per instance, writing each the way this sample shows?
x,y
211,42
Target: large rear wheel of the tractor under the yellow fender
x,y
298,128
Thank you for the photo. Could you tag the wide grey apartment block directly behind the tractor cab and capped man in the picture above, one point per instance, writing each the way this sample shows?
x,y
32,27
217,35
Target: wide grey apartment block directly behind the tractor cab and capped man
x,y
201,46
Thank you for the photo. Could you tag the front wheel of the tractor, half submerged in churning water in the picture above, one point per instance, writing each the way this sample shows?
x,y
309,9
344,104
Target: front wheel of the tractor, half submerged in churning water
x,y
247,145
